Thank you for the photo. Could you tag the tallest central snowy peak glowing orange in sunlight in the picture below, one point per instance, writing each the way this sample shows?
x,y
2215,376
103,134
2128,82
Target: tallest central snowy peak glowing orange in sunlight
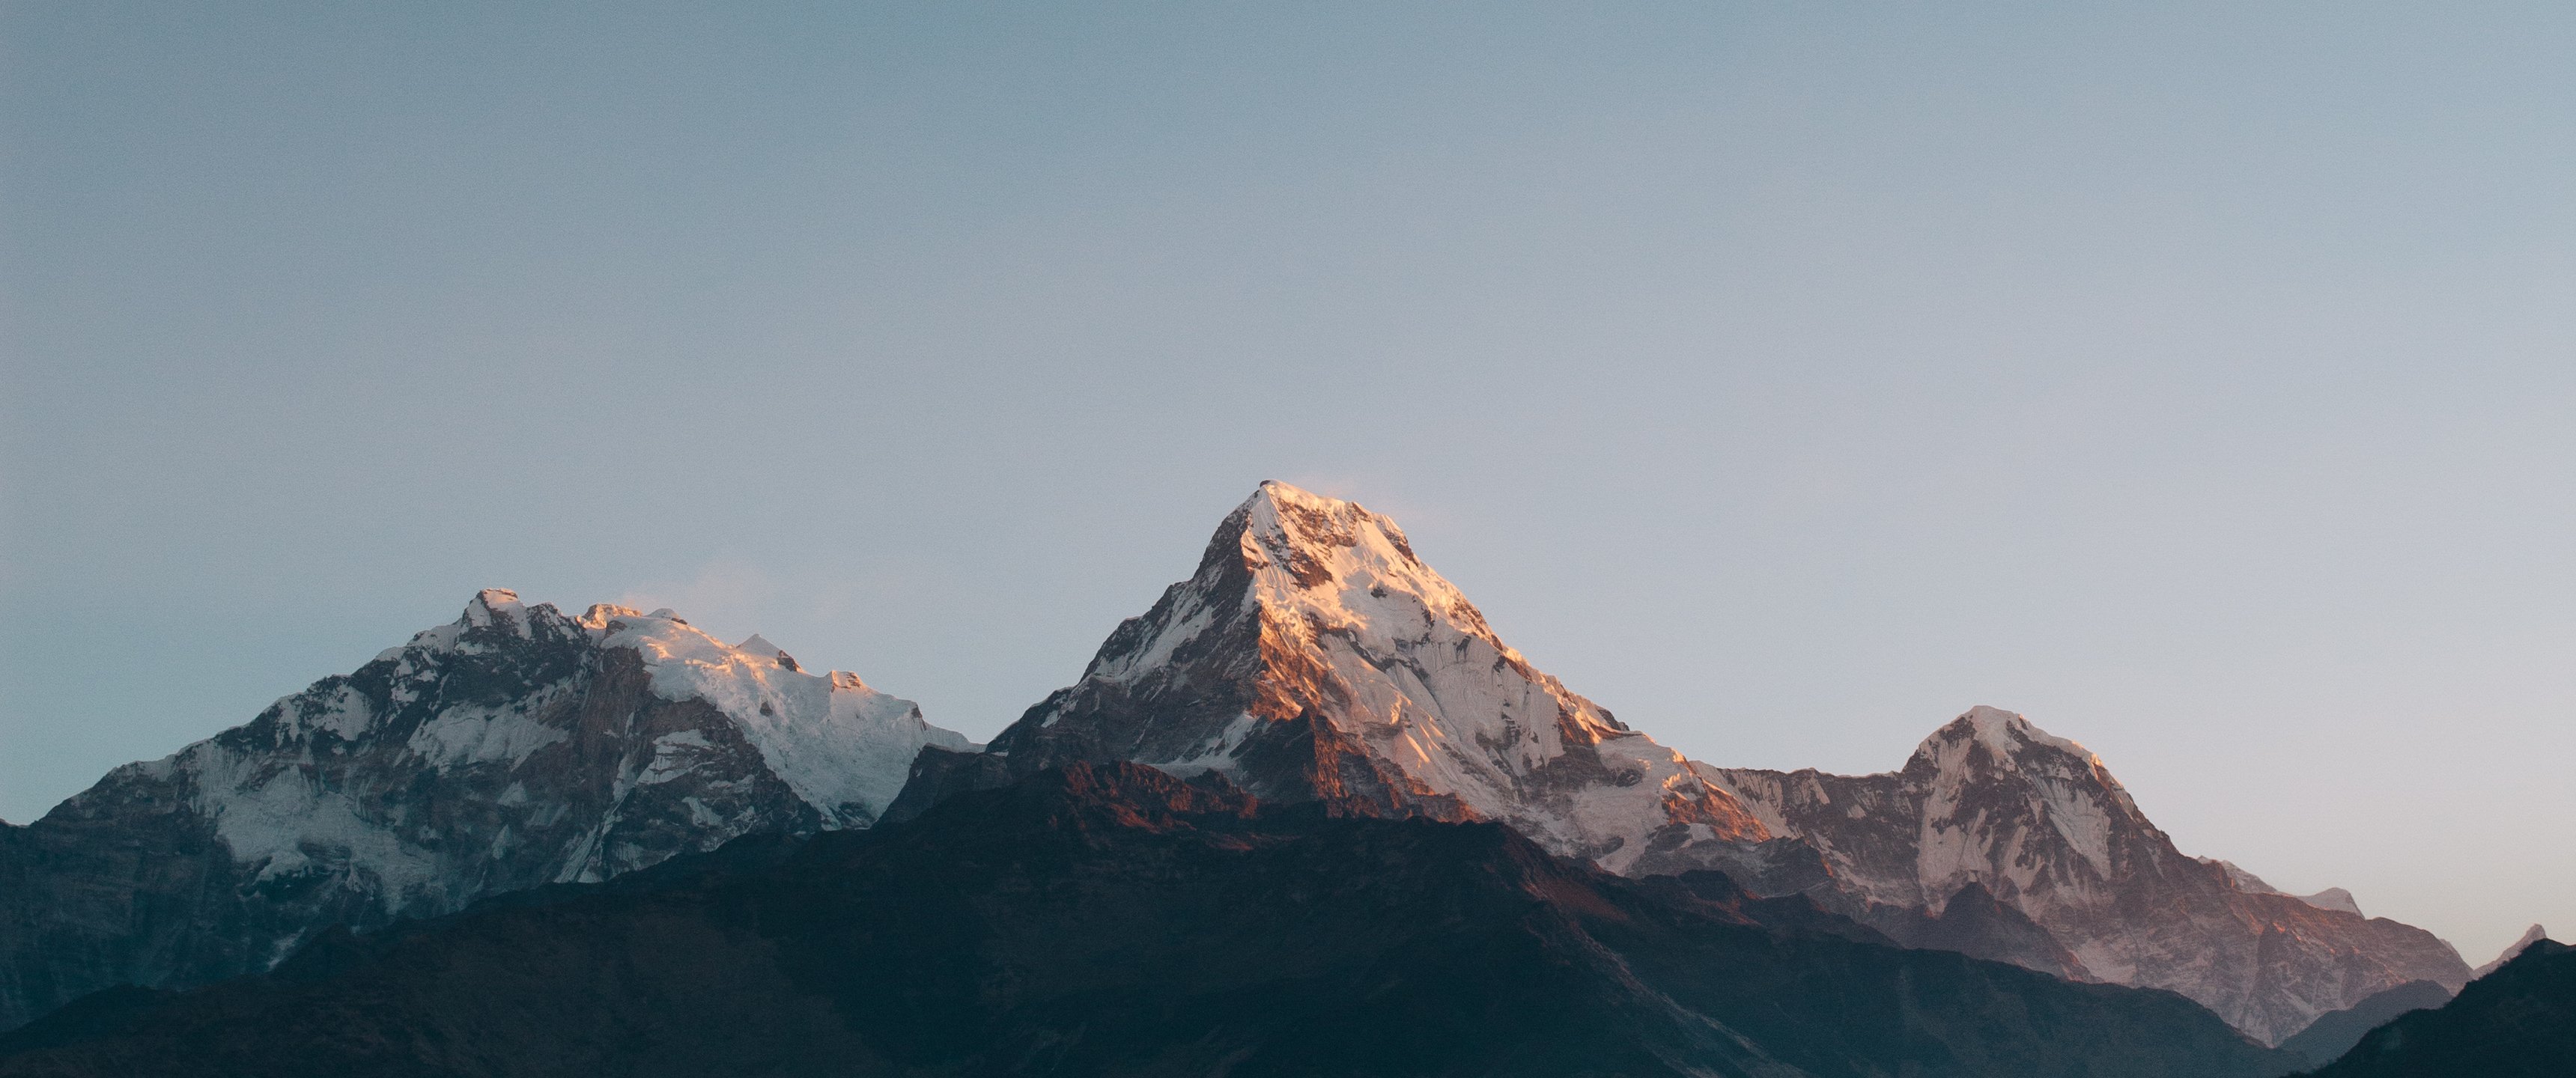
x,y
1315,657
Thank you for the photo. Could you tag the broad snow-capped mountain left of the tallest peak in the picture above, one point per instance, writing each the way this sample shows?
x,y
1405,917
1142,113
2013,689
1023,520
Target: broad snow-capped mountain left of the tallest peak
x,y
509,750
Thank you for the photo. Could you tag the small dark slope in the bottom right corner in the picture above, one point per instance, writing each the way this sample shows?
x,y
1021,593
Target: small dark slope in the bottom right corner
x,y
2515,1023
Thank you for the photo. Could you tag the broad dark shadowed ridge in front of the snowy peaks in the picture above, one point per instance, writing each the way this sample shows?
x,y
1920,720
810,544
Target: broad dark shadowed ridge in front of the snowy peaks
x,y
1122,922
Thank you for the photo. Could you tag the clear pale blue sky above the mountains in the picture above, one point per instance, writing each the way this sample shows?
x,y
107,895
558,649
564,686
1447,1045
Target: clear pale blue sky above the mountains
x,y
2196,379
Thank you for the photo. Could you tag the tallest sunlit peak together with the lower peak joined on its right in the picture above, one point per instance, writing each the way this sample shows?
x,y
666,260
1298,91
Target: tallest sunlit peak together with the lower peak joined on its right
x,y
1315,657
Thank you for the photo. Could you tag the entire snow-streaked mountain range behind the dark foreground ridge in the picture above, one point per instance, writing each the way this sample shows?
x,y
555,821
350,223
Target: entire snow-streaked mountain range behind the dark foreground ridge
x,y
1310,660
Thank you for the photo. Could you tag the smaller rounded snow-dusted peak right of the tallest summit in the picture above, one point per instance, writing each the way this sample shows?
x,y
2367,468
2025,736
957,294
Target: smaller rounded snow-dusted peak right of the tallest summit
x,y
2039,825
